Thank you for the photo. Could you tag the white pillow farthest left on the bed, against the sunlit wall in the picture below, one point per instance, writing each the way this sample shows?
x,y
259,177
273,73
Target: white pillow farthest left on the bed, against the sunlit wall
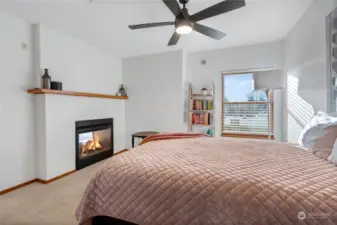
x,y
315,128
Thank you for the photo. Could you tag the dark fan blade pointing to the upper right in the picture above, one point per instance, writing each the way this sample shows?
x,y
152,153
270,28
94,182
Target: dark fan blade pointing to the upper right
x,y
217,9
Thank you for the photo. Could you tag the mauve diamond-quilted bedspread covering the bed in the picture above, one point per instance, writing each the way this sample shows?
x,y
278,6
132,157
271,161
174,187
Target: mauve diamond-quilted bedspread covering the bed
x,y
213,181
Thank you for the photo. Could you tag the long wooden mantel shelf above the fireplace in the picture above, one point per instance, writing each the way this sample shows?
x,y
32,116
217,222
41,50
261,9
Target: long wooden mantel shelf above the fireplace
x,y
38,91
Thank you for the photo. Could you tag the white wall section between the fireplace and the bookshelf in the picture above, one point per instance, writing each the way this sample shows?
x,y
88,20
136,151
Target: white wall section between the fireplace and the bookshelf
x,y
155,86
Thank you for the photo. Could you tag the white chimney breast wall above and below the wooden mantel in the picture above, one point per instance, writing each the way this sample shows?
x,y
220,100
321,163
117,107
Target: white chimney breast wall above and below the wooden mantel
x,y
80,67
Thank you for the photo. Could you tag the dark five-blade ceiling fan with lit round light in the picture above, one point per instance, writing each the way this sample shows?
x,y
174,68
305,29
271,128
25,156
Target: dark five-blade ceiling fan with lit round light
x,y
185,23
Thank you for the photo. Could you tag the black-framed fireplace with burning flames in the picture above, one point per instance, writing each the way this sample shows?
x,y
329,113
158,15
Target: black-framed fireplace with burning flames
x,y
94,141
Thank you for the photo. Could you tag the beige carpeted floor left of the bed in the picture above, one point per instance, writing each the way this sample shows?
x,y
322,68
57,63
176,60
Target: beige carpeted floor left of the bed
x,y
46,204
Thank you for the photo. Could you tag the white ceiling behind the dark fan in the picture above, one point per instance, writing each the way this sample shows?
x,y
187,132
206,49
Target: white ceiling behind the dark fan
x,y
104,23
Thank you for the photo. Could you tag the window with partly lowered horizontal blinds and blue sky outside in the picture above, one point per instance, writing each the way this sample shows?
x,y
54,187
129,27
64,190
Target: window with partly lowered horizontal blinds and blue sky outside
x,y
246,112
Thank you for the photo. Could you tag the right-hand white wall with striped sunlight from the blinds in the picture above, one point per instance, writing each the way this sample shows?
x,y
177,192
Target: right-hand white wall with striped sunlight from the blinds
x,y
305,67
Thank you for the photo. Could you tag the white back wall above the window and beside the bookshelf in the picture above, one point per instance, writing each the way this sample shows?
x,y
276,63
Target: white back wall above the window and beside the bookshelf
x,y
259,56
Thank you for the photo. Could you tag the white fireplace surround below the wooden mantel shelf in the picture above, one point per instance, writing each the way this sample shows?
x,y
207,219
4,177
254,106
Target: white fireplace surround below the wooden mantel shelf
x,y
55,120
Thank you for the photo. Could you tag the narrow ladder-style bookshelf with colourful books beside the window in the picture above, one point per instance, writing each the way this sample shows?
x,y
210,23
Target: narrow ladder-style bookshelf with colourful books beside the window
x,y
201,111
